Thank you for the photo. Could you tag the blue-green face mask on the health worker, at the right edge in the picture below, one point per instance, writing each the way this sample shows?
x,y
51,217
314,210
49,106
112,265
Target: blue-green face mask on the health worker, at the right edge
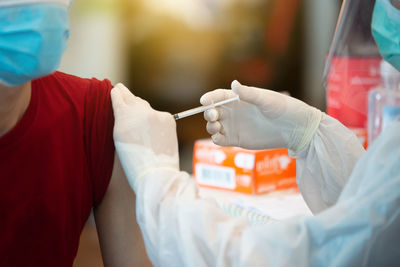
x,y
386,31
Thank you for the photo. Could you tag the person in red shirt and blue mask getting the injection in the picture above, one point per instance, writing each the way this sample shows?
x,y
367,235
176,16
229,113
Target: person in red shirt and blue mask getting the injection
x,y
57,159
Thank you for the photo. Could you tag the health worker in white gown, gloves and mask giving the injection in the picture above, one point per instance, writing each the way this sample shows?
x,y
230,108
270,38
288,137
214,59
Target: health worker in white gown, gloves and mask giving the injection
x,y
354,194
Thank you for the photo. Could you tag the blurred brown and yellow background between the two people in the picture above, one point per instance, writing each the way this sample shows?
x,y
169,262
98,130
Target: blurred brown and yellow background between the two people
x,y
170,52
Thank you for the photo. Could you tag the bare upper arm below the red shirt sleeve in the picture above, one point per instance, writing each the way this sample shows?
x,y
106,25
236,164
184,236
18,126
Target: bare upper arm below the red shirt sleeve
x,y
120,238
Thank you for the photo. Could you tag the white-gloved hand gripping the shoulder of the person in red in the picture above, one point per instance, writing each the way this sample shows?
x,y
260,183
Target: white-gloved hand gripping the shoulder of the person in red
x,y
145,139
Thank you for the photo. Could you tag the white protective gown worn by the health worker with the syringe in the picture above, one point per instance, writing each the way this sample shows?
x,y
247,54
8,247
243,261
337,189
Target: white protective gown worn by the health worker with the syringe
x,y
355,196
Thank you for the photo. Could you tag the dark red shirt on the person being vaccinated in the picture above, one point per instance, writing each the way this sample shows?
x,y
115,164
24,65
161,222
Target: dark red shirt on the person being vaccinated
x,y
55,165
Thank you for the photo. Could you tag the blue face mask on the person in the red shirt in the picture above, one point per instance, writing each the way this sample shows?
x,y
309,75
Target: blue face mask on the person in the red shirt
x,y
32,40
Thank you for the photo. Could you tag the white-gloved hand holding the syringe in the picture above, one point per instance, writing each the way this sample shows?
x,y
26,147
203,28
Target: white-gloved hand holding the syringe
x,y
262,119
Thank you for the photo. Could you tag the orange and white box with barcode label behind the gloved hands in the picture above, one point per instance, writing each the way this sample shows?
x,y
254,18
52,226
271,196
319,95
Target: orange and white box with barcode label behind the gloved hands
x,y
241,170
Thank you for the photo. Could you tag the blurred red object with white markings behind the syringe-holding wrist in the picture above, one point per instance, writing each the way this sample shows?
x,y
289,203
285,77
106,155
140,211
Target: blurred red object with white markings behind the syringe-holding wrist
x,y
348,83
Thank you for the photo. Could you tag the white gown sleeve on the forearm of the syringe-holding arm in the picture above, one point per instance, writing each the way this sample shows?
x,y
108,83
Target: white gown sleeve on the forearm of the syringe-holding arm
x,y
324,167
